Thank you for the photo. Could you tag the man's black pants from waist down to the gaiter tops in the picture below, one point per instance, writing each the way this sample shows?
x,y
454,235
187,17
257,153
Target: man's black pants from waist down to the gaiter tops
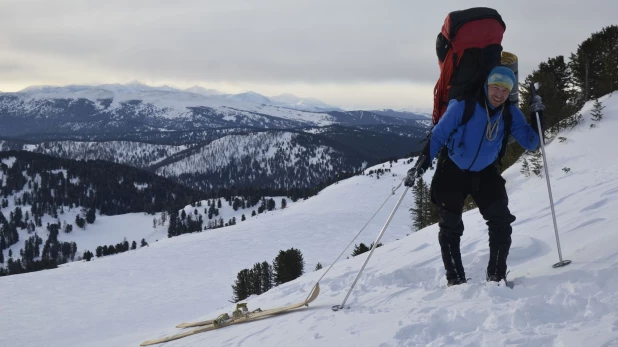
x,y
450,187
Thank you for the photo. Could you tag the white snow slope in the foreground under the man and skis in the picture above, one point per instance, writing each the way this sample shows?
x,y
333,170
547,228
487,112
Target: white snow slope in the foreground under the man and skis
x,y
400,299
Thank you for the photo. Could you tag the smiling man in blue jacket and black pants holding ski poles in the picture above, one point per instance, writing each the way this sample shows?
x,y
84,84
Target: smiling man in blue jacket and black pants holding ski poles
x,y
466,166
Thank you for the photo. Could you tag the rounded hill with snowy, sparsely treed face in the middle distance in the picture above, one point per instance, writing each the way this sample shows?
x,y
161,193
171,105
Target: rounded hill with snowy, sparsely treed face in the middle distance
x,y
274,159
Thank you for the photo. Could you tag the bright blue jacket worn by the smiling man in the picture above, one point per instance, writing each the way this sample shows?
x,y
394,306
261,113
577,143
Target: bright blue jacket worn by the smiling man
x,y
468,145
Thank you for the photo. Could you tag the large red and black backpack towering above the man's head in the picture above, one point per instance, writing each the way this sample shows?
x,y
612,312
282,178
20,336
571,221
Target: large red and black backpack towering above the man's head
x,y
468,47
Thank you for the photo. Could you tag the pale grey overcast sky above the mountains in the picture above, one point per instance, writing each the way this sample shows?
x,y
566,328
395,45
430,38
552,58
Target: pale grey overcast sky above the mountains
x,y
349,53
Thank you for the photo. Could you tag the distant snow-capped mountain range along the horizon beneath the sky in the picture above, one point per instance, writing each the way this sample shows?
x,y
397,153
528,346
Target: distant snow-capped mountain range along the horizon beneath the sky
x,y
136,107
